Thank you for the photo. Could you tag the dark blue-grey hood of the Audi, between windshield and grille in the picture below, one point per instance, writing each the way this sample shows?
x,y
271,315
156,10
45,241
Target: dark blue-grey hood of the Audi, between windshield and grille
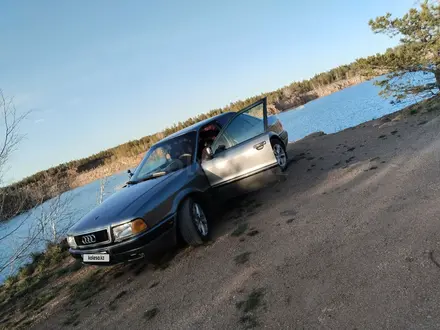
x,y
112,210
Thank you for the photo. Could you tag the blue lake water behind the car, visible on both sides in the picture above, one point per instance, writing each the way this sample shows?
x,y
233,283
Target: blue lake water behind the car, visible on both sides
x,y
330,114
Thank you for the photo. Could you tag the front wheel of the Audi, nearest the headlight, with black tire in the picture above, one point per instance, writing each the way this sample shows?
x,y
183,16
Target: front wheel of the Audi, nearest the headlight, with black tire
x,y
193,228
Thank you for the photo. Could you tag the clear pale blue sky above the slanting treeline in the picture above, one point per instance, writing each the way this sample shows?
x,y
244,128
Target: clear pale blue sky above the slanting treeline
x,y
99,73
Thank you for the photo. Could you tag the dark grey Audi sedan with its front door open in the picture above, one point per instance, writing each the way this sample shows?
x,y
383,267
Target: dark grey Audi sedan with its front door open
x,y
170,194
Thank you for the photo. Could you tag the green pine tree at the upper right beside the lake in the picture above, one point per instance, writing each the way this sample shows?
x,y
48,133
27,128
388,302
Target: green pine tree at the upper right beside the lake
x,y
419,51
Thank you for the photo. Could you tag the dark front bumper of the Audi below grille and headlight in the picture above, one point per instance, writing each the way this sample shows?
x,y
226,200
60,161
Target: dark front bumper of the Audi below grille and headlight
x,y
146,245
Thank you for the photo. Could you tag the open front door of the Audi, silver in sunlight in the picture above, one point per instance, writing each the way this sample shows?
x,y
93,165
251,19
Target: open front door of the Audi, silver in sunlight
x,y
241,150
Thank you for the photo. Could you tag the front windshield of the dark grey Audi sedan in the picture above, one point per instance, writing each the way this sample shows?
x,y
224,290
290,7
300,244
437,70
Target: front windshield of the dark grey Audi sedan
x,y
166,157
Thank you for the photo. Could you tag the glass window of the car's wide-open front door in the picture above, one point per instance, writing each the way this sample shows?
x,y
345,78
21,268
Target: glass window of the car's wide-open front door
x,y
242,127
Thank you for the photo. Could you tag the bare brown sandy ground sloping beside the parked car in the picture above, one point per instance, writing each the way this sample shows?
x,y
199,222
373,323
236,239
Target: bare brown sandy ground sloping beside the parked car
x,y
346,239
